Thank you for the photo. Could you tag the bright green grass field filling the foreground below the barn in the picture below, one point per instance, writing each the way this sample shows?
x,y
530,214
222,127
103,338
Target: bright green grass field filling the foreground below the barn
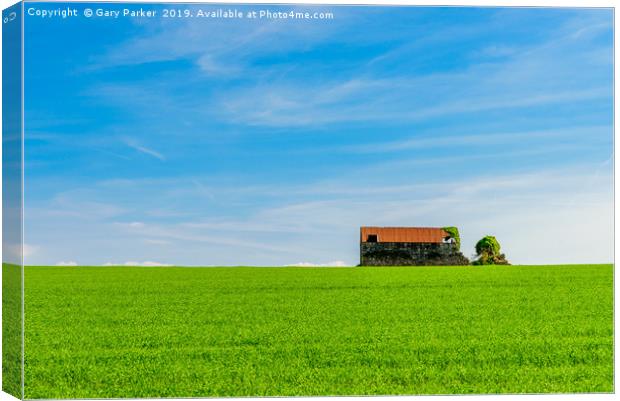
x,y
162,332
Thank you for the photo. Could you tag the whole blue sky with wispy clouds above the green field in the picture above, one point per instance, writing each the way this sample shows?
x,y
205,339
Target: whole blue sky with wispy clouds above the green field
x,y
268,142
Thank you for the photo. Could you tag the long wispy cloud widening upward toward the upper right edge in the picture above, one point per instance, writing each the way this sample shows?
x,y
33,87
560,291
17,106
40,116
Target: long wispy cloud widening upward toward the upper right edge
x,y
528,77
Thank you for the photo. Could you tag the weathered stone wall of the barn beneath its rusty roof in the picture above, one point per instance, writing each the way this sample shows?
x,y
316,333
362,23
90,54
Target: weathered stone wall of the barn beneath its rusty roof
x,y
410,254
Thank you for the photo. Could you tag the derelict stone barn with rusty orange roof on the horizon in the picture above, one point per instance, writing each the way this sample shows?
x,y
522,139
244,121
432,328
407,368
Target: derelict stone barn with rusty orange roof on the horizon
x,y
408,246
